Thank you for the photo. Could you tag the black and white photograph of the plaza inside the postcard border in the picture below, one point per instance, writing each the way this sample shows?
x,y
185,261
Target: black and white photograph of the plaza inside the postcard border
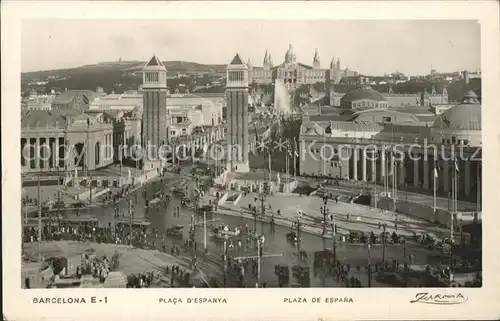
x,y
288,166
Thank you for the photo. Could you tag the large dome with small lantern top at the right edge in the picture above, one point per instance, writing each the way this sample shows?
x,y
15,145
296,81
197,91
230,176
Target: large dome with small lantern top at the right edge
x,y
461,124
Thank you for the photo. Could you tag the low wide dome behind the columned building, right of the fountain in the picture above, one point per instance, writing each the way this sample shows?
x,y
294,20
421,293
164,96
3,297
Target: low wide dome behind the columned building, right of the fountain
x,y
363,97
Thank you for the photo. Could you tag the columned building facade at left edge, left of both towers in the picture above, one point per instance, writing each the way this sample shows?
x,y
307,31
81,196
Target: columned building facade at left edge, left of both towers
x,y
65,140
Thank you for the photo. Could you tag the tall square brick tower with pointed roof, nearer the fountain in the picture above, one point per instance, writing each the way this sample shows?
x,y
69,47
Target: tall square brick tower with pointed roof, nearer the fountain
x,y
237,115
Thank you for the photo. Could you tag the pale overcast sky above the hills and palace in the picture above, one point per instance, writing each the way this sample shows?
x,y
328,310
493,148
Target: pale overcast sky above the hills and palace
x,y
367,46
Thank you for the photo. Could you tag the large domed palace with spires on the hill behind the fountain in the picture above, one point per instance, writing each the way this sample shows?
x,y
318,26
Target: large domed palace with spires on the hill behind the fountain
x,y
295,74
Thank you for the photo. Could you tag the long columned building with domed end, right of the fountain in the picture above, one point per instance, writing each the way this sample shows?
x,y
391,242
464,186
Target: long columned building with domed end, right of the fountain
x,y
362,150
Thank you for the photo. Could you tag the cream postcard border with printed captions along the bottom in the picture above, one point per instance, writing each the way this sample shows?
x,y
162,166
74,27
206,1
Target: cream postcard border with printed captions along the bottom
x,y
374,303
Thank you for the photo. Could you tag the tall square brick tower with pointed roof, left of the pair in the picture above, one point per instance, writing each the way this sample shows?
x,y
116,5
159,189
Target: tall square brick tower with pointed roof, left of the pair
x,y
154,116
